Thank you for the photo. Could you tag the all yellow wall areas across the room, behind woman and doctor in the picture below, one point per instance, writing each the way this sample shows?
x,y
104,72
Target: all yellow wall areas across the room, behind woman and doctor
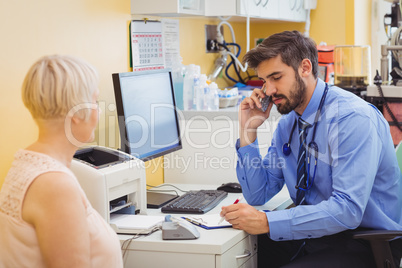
x,y
97,31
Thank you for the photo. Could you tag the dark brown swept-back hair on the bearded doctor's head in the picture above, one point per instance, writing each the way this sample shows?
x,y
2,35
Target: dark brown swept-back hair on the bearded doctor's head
x,y
292,46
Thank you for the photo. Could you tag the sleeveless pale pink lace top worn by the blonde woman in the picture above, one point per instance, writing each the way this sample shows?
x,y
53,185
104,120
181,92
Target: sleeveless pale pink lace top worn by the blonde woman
x,y
19,244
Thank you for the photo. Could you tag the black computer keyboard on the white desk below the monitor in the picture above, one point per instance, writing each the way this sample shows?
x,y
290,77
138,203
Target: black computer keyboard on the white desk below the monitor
x,y
195,202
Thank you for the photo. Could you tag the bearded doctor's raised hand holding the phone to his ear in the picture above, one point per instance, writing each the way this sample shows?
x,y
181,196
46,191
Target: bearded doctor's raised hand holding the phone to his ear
x,y
251,116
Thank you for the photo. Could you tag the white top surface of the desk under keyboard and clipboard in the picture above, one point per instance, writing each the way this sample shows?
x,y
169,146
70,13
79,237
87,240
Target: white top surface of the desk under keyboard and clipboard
x,y
215,241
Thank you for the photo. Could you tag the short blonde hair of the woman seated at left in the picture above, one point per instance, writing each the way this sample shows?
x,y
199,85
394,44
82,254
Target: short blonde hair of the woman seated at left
x,y
56,84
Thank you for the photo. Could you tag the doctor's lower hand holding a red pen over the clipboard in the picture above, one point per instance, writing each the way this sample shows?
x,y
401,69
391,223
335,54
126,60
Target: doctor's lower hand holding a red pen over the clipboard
x,y
247,218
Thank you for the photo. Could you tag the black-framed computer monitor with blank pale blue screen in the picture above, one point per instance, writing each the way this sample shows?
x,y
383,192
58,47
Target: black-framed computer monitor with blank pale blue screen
x,y
147,116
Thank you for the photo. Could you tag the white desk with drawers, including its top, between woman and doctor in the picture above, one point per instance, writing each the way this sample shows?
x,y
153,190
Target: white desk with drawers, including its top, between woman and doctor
x,y
218,248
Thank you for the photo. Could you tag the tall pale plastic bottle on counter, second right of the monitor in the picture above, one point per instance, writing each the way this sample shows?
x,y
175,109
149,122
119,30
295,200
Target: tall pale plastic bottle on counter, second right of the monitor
x,y
191,79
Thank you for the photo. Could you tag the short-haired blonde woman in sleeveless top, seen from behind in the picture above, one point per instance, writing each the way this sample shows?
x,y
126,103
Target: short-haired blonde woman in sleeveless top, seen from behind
x,y
45,217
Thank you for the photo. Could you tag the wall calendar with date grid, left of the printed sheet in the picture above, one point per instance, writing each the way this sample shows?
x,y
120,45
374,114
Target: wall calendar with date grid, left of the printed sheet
x,y
147,45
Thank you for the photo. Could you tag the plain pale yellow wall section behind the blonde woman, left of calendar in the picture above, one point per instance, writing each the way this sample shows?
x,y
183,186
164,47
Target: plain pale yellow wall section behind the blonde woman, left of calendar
x,y
92,29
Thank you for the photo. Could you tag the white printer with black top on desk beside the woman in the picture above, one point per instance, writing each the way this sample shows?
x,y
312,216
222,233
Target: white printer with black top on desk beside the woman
x,y
113,181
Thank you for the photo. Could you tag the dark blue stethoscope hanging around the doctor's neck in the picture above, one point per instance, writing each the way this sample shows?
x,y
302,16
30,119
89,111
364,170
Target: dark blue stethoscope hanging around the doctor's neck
x,y
312,145
